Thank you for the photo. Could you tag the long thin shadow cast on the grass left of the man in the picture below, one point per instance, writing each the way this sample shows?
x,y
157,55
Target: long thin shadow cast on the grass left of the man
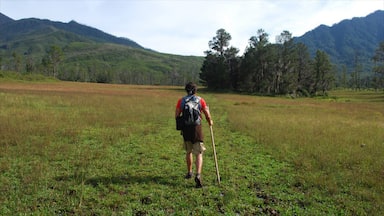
x,y
124,179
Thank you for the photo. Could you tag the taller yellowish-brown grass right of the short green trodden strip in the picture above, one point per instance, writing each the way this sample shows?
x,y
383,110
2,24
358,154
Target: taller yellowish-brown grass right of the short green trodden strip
x,y
335,147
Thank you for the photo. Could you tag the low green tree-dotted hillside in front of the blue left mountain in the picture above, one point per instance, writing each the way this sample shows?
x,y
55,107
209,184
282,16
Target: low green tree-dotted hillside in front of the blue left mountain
x,y
105,63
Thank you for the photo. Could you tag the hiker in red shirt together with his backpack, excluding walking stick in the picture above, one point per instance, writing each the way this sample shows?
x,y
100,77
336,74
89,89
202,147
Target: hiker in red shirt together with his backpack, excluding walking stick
x,y
188,111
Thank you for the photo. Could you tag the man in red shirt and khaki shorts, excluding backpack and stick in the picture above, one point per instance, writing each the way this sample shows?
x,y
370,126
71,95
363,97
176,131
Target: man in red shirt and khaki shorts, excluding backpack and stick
x,y
193,134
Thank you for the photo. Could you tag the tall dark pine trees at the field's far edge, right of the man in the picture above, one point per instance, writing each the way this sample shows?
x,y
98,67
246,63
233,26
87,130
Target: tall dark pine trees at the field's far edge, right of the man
x,y
285,67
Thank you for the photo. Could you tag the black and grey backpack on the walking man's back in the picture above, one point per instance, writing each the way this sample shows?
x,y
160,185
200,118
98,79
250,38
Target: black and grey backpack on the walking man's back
x,y
191,110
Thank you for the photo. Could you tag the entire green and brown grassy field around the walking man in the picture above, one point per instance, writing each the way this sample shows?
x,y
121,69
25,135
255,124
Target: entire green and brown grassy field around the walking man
x,y
99,149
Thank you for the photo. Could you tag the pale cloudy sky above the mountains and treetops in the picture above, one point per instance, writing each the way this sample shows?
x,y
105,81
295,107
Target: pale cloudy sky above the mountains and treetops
x,y
184,27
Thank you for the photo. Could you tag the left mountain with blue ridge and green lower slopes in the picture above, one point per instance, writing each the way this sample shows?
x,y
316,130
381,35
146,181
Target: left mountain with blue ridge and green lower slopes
x,y
89,54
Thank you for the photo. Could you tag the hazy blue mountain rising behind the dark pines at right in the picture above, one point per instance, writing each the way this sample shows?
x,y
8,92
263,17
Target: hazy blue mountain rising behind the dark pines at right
x,y
348,42
